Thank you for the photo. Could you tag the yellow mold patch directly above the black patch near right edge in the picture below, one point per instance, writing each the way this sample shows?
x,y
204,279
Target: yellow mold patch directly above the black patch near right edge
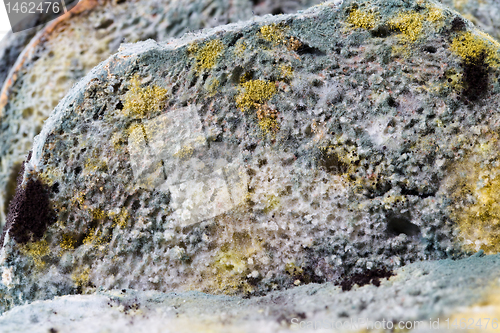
x,y
471,46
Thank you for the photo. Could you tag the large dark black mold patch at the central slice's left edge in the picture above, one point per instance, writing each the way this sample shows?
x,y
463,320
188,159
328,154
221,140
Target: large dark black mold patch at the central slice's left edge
x,y
29,211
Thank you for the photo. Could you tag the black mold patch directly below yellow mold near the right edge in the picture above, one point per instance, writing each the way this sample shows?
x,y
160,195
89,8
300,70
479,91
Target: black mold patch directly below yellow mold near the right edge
x,y
475,78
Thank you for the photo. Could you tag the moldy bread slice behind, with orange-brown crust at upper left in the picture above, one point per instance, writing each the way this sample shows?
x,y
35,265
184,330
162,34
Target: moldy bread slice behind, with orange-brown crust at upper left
x,y
69,47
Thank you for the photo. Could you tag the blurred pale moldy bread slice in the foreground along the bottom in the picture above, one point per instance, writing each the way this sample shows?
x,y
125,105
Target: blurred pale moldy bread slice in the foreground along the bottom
x,y
419,295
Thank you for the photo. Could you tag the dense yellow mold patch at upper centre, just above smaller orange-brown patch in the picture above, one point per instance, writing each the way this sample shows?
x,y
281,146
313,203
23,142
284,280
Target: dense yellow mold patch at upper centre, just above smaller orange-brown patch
x,y
254,93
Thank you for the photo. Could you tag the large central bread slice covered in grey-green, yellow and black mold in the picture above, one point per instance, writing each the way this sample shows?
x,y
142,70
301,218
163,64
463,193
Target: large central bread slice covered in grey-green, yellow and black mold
x,y
328,145
